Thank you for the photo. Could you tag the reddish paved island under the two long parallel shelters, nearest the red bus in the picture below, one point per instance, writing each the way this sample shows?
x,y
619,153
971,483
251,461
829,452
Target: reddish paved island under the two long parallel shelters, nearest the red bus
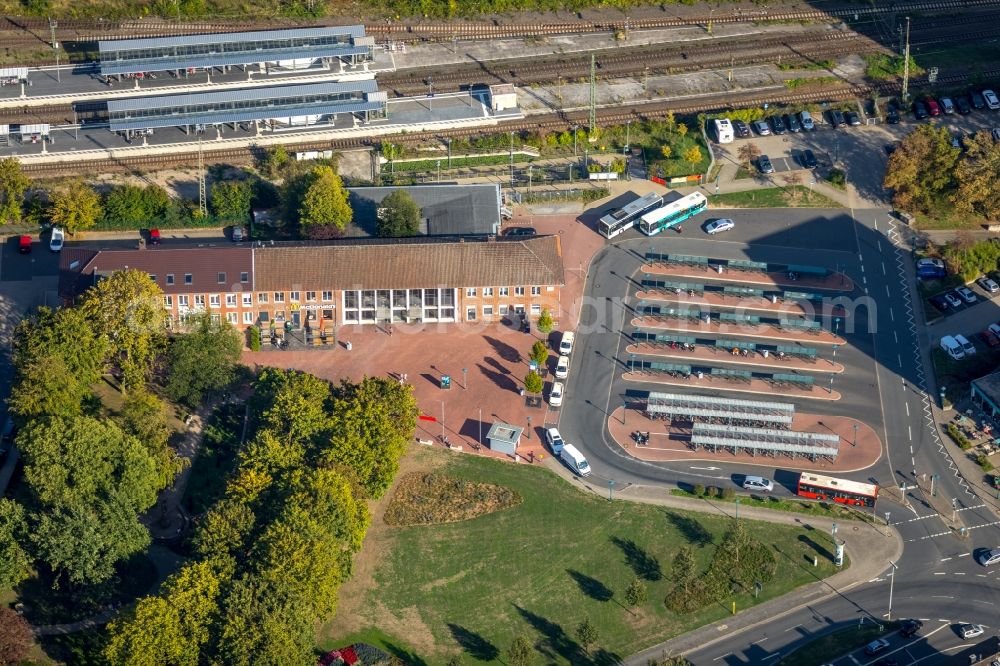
x,y
670,443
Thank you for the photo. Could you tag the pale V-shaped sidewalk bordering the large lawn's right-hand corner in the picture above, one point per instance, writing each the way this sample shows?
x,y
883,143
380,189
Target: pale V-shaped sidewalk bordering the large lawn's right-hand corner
x,y
868,549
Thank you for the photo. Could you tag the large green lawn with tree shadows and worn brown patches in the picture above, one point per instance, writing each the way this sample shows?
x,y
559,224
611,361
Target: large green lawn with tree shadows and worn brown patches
x,y
540,568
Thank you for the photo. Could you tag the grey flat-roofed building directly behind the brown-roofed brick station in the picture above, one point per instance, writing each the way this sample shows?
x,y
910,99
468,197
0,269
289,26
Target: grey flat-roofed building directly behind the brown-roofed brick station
x,y
445,210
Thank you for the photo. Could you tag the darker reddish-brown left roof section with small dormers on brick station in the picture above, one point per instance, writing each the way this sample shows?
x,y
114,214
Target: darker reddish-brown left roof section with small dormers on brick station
x,y
78,266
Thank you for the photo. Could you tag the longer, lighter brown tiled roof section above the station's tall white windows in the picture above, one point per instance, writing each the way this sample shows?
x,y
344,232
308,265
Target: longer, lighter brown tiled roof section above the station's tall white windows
x,y
411,265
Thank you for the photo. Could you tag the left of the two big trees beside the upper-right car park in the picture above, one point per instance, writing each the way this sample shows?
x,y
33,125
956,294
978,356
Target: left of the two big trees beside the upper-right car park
x,y
922,169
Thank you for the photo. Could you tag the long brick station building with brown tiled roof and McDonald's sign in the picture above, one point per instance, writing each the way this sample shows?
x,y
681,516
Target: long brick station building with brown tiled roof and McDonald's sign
x,y
317,286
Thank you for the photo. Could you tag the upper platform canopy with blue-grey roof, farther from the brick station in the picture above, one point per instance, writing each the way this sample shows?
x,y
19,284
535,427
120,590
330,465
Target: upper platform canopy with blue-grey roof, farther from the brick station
x,y
191,52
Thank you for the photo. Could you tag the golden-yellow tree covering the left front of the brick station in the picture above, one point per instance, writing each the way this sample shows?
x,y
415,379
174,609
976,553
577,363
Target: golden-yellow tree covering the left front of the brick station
x,y
127,310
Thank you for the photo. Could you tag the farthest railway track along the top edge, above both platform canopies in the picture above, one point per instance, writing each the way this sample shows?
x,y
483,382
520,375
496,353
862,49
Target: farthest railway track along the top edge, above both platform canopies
x,y
90,30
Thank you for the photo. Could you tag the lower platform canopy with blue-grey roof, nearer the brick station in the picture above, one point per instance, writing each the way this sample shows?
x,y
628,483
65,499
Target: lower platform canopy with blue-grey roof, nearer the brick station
x,y
289,104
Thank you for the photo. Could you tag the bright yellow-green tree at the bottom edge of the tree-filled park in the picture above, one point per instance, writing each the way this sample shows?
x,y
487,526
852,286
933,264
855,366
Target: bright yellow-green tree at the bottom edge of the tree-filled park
x,y
171,628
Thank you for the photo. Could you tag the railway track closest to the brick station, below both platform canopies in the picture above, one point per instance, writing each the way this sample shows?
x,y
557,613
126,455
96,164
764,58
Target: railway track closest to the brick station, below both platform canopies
x,y
548,123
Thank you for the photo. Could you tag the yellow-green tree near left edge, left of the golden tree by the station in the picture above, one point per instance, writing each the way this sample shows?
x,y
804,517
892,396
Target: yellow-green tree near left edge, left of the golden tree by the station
x,y
57,358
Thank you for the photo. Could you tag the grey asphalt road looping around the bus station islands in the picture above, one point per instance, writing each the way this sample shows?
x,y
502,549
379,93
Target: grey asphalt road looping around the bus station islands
x,y
886,384
